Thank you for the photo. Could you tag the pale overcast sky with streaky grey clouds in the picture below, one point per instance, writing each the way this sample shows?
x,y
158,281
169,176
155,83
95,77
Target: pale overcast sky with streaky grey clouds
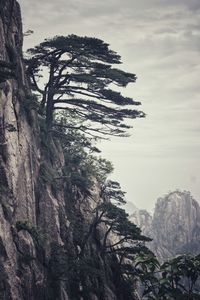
x,y
159,41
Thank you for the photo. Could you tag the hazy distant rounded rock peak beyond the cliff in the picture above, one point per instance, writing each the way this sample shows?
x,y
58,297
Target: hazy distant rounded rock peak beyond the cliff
x,y
174,227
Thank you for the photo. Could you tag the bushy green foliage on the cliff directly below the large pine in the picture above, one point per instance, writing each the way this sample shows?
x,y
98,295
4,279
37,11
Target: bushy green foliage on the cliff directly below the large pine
x,y
82,165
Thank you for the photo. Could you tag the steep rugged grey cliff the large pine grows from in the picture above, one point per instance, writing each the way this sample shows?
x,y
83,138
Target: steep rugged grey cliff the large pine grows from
x,y
42,220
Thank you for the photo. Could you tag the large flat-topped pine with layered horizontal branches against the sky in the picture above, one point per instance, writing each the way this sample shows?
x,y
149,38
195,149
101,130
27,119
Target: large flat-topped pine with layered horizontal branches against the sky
x,y
76,74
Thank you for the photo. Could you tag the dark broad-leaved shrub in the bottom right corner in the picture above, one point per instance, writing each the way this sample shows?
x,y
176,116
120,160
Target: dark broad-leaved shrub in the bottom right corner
x,y
177,278
